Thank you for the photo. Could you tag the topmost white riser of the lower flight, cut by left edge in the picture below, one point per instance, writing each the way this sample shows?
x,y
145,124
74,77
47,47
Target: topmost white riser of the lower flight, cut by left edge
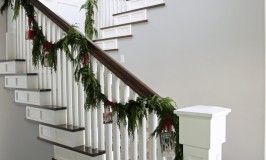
x,y
12,67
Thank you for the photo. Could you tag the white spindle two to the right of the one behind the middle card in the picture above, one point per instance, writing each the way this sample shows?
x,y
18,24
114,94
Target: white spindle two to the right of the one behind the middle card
x,y
124,128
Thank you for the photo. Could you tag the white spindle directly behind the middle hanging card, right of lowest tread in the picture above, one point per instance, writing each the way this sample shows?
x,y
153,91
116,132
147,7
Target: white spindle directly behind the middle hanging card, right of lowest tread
x,y
108,133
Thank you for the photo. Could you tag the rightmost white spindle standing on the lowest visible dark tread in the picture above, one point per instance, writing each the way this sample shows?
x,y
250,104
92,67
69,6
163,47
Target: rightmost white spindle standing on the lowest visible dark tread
x,y
100,77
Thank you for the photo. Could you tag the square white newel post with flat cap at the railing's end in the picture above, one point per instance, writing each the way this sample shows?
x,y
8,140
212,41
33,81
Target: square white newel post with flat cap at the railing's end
x,y
202,131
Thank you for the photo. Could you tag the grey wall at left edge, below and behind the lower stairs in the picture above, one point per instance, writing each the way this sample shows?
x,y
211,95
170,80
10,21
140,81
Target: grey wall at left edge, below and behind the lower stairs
x,y
18,137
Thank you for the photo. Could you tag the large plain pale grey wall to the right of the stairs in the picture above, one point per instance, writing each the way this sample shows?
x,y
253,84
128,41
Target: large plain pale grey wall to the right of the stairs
x,y
207,52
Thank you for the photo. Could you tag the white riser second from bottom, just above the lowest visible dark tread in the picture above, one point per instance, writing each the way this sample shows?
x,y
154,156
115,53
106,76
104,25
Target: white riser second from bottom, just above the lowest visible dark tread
x,y
71,139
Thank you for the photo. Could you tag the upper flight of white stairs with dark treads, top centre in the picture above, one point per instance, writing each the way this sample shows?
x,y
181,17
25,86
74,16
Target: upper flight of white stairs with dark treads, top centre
x,y
117,23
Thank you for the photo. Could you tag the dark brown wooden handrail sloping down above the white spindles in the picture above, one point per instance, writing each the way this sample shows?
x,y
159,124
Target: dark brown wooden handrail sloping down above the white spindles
x,y
121,72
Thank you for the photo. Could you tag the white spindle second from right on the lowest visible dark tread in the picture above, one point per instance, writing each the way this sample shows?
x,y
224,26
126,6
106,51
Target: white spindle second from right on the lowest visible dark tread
x,y
94,111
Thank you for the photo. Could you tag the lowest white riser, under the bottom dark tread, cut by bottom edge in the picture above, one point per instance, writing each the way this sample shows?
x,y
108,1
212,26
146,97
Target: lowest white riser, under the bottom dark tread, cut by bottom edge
x,y
65,154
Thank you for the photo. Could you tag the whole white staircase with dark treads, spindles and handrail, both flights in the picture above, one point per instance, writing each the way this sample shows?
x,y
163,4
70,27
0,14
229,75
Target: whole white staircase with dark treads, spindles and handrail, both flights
x,y
55,101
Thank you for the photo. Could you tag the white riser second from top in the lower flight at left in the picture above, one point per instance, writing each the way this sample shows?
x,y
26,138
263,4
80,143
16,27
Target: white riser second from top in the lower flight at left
x,y
21,81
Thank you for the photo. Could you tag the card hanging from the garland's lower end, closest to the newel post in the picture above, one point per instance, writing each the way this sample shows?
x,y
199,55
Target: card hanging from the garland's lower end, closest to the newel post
x,y
168,143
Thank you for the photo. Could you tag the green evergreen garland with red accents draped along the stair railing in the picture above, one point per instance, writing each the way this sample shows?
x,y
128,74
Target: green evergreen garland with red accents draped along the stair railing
x,y
133,110
